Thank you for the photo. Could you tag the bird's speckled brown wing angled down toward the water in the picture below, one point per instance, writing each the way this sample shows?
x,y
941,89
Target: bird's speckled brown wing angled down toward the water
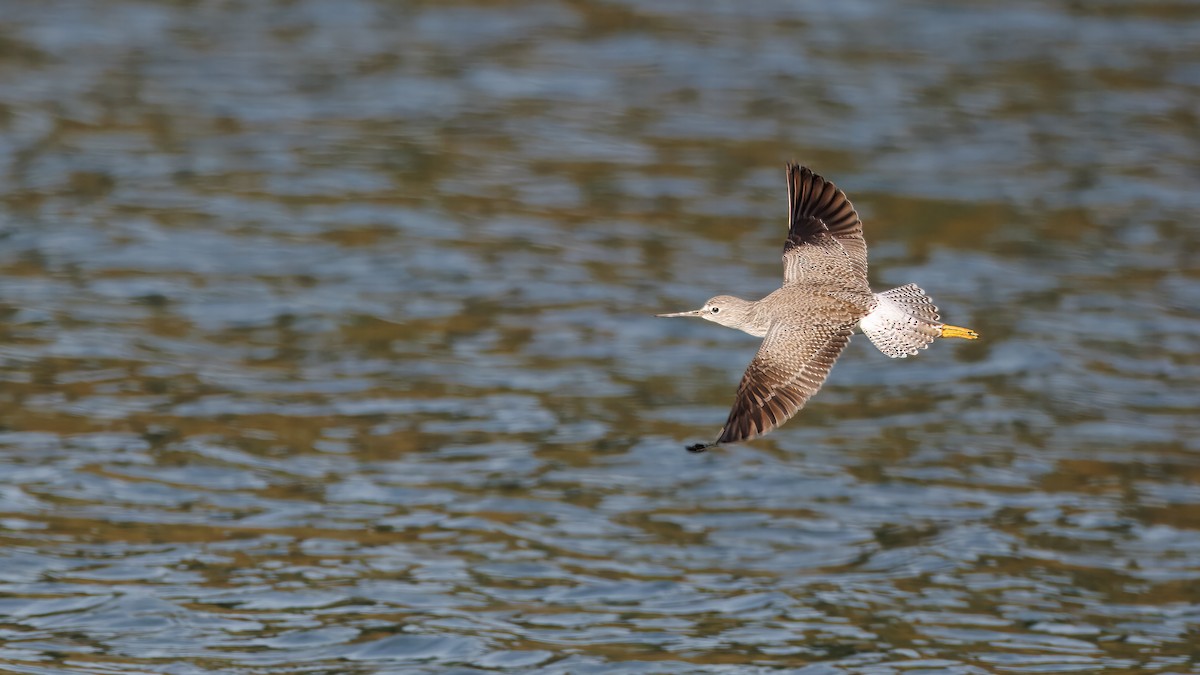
x,y
790,367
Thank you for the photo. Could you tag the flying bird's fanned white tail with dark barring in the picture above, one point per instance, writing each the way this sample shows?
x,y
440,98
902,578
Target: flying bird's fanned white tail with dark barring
x,y
903,322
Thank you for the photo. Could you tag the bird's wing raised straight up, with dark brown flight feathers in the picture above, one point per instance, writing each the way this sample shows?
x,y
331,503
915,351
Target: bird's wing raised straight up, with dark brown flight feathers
x,y
825,235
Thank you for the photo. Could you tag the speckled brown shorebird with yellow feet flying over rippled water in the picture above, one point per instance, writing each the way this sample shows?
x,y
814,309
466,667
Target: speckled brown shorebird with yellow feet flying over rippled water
x,y
807,324
